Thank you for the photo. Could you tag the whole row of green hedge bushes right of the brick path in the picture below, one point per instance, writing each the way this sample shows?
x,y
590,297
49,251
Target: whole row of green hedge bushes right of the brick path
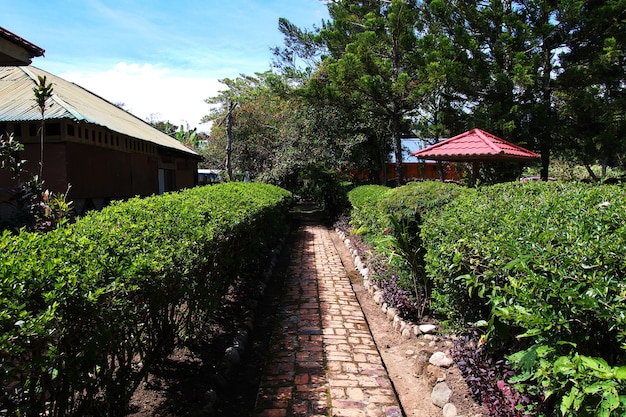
x,y
539,266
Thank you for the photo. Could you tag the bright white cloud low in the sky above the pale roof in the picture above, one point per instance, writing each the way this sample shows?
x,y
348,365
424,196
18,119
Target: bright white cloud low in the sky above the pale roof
x,y
146,90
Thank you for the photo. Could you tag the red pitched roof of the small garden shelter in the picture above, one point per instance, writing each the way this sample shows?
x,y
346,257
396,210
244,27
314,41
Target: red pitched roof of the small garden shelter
x,y
476,145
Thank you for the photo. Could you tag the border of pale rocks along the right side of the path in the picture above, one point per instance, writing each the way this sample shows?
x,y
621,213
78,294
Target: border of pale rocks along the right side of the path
x,y
431,364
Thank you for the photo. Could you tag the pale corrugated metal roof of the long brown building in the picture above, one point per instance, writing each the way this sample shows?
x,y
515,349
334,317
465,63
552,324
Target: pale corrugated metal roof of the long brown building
x,y
70,101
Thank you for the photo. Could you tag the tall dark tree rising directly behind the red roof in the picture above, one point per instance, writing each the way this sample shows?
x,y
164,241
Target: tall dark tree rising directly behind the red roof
x,y
513,48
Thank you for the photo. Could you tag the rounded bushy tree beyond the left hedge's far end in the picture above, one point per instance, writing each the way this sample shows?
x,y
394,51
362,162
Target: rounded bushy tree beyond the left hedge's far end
x,y
277,135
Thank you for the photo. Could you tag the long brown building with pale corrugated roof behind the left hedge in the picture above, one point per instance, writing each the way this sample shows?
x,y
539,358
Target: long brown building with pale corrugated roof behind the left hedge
x,y
104,152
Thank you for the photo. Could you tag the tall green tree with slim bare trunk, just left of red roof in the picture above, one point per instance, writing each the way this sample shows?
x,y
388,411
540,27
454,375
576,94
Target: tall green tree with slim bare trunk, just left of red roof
x,y
372,62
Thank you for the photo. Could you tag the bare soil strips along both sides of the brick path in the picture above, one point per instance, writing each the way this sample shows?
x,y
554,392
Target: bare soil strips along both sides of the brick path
x,y
197,380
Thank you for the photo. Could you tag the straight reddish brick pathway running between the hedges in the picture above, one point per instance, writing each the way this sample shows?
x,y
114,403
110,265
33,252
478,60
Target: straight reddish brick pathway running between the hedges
x,y
322,360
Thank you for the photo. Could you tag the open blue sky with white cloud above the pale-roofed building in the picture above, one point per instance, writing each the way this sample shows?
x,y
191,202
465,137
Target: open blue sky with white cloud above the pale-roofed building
x,y
160,58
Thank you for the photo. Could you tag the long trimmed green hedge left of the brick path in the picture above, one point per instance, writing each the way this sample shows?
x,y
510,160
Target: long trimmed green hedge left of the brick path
x,y
86,309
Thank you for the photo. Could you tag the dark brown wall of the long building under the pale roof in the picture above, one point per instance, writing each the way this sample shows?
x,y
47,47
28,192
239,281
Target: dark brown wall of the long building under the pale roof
x,y
99,164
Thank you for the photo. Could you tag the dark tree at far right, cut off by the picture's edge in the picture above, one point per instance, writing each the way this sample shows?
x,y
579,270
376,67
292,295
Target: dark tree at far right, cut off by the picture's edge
x,y
592,86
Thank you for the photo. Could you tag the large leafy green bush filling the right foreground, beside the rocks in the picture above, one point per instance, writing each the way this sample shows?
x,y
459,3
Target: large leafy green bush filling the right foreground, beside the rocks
x,y
543,264
